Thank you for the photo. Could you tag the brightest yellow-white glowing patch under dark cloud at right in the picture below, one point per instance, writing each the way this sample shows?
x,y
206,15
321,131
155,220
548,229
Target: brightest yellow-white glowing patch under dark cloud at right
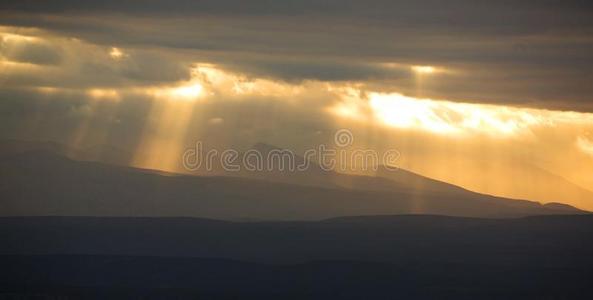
x,y
452,118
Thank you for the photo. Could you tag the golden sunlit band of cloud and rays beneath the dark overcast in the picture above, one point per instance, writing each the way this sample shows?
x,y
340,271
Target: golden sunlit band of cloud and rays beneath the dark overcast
x,y
158,101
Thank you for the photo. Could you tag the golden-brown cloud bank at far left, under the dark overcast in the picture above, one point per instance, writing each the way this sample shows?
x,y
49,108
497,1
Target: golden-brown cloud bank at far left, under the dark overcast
x,y
38,59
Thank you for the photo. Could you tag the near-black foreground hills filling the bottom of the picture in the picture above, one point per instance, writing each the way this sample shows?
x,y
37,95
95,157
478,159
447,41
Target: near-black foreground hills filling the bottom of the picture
x,y
380,257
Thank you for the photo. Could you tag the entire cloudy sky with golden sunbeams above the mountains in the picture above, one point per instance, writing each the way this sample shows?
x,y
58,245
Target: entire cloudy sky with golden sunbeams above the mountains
x,y
495,96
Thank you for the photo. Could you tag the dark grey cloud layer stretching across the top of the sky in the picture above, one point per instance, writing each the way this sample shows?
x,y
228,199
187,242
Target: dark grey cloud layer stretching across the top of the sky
x,y
534,53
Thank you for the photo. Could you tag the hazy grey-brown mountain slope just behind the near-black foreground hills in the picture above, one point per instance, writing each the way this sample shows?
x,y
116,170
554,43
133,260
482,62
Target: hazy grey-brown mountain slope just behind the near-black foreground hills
x,y
38,183
